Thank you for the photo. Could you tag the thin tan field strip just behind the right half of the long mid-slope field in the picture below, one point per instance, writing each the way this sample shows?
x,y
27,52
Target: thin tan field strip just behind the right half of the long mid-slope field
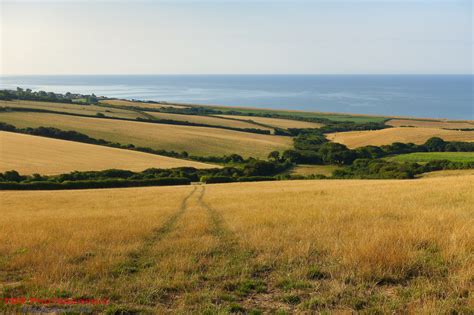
x,y
209,120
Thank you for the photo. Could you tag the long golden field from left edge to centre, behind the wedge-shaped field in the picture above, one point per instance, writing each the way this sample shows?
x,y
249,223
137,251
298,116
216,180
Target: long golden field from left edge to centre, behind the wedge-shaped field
x,y
195,140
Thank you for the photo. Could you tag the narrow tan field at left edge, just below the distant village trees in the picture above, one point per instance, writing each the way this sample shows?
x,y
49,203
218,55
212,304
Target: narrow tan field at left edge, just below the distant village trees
x,y
90,110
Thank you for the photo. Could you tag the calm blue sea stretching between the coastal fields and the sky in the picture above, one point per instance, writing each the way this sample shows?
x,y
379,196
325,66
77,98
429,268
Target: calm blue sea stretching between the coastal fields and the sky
x,y
441,96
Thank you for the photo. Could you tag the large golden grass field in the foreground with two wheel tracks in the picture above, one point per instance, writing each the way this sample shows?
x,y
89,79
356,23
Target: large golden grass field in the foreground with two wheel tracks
x,y
385,246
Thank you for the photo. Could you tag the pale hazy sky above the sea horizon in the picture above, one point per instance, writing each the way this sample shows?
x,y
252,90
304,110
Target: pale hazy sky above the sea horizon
x,y
191,37
